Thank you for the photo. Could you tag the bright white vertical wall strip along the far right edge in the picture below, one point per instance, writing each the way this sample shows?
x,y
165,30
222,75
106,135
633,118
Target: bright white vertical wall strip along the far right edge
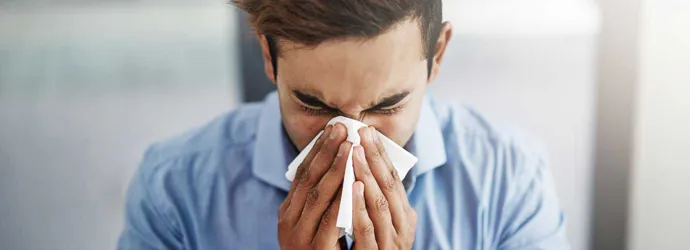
x,y
660,198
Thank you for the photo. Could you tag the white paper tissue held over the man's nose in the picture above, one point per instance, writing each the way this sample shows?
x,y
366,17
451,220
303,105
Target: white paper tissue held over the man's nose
x,y
401,159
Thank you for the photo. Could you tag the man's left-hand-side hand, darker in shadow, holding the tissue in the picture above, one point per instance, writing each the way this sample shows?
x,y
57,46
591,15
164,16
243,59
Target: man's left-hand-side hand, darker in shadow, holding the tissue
x,y
307,217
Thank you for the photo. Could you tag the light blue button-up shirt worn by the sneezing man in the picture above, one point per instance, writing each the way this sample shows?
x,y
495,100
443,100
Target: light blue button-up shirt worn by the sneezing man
x,y
476,186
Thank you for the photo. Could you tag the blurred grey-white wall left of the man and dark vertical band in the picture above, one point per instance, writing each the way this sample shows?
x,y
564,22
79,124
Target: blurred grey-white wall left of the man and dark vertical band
x,y
83,90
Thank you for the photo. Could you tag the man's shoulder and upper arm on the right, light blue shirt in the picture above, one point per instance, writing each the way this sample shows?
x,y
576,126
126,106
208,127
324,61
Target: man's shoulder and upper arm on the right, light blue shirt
x,y
508,175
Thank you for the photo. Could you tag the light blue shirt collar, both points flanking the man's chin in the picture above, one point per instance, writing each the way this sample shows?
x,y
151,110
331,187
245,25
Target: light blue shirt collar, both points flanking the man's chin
x,y
272,150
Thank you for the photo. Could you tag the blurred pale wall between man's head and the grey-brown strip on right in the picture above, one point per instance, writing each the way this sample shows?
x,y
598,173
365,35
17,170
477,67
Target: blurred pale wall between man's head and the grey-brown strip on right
x,y
532,64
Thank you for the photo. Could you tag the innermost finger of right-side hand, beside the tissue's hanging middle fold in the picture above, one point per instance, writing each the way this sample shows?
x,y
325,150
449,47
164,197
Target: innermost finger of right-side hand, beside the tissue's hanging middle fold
x,y
378,207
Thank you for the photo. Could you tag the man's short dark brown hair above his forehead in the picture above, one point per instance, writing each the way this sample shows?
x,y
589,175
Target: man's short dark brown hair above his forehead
x,y
311,22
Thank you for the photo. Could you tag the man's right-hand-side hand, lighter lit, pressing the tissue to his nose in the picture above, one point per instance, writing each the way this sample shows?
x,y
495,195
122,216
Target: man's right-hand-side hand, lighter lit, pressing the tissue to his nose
x,y
383,217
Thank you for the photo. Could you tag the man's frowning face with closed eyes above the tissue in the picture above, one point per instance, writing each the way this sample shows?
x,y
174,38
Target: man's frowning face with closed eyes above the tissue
x,y
379,81
